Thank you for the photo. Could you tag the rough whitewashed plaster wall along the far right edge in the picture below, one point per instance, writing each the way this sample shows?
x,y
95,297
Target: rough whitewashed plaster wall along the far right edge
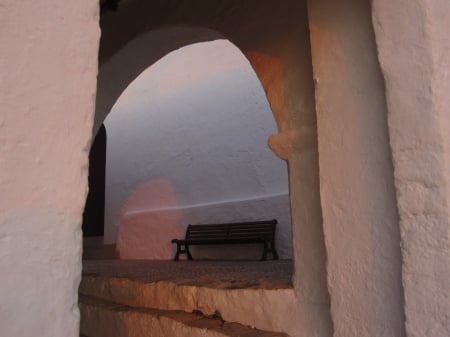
x,y
415,59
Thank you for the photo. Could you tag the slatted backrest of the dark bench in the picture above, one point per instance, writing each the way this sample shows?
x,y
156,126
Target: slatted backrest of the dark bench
x,y
237,230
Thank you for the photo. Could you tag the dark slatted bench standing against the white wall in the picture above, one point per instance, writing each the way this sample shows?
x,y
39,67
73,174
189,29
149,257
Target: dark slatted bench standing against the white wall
x,y
229,233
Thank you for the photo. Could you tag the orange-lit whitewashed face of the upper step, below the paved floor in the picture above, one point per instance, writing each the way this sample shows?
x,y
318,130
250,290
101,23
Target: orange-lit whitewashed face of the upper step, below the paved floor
x,y
265,309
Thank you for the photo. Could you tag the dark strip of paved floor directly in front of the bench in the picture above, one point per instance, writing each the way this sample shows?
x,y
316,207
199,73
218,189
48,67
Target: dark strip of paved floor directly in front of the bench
x,y
274,274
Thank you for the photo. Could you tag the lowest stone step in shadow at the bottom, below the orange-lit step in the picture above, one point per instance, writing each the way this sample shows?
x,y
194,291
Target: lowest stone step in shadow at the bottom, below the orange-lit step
x,y
101,318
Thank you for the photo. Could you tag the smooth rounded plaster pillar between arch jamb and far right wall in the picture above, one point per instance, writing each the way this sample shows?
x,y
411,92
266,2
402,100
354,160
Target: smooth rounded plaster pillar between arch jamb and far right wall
x,y
356,175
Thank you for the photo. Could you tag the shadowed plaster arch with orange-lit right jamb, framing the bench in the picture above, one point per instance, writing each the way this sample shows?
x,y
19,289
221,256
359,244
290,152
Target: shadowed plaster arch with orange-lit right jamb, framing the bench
x,y
275,39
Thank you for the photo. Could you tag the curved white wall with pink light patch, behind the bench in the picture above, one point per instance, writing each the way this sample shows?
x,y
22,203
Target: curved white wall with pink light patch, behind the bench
x,y
187,143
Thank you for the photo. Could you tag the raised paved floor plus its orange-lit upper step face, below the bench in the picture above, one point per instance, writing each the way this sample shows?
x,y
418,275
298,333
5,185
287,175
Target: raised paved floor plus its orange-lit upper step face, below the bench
x,y
252,293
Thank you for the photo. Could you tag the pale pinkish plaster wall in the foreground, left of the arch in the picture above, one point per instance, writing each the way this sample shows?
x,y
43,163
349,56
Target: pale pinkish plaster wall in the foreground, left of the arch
x,y
47,85
